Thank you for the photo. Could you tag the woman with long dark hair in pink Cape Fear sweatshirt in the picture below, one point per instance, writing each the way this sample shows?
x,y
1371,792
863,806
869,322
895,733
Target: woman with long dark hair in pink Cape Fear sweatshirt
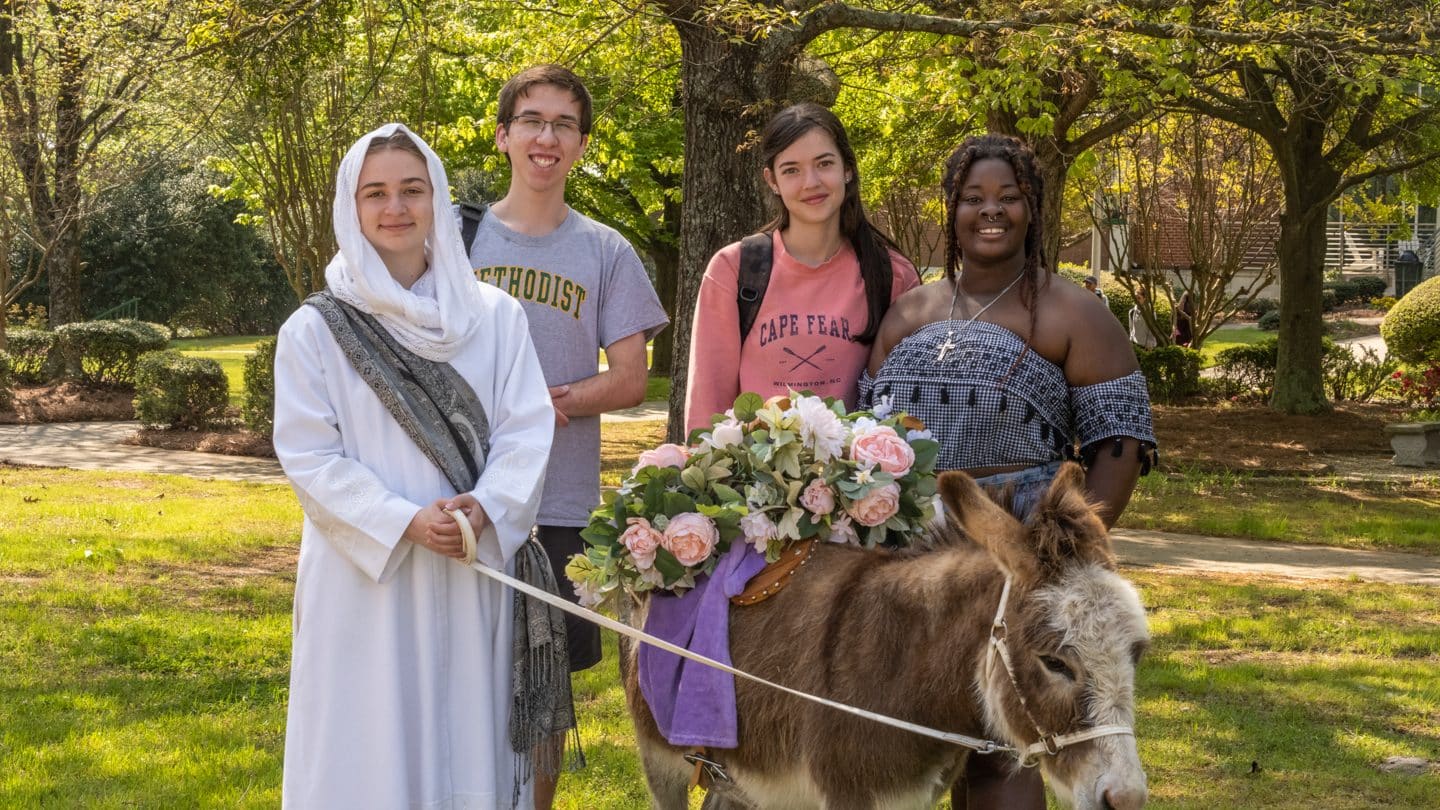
x,y
833,277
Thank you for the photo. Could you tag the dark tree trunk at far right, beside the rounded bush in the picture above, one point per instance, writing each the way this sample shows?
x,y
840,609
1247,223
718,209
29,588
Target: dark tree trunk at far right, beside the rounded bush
x,y
1300,384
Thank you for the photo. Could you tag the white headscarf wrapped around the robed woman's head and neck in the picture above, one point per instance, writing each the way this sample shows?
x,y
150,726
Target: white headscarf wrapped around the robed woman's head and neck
x,y
433,328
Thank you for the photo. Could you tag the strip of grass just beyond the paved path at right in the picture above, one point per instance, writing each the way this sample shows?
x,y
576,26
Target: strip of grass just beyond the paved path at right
x,y
1323,511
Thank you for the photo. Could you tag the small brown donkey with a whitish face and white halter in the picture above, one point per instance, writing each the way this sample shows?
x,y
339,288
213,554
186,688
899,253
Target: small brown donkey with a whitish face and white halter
x,y
911,635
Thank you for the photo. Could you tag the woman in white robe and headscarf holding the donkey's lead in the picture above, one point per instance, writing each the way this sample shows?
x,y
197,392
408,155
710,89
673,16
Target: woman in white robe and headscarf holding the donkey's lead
x,y
401,672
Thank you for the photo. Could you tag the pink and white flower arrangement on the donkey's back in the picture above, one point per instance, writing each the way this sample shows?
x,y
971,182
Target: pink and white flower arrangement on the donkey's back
x,y
767,473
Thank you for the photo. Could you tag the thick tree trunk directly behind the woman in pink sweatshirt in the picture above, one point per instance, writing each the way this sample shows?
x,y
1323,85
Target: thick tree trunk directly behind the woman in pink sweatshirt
x,y
724,83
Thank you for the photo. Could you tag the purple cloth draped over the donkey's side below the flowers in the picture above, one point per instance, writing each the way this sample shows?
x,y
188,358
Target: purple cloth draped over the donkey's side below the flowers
x,y
695,704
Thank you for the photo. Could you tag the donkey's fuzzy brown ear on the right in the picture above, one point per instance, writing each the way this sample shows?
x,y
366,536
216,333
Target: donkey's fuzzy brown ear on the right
x,y
1066,528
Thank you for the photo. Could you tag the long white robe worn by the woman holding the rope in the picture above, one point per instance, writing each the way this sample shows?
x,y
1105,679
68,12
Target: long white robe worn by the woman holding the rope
x,y
400,693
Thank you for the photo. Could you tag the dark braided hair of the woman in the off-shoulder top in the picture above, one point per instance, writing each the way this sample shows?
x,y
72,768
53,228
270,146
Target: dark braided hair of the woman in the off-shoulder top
x,y
1022,159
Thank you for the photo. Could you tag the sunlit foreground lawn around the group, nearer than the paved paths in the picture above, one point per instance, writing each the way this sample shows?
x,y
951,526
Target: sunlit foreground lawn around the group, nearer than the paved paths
x,y
153,671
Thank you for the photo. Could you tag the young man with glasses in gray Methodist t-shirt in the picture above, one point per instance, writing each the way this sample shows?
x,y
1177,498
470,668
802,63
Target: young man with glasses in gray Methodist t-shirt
x,y
584,289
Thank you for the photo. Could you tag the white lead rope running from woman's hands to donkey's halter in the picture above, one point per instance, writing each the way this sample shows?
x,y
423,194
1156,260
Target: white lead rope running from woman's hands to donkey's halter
x,y
973,743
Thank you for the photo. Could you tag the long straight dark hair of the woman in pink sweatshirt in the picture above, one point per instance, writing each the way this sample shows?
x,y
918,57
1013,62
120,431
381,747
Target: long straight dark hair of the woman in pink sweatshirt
x,y
870,244
